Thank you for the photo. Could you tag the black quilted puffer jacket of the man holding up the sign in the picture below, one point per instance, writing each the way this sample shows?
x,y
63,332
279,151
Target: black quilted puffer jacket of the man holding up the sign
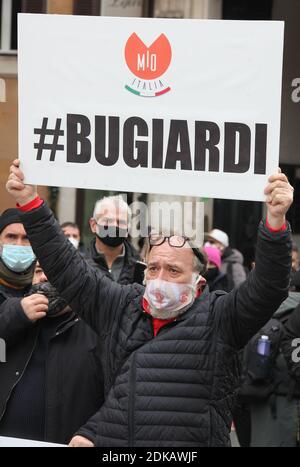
x,y
176,389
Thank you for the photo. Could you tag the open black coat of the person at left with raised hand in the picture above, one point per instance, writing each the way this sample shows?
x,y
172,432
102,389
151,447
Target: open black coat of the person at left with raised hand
x,y
74,378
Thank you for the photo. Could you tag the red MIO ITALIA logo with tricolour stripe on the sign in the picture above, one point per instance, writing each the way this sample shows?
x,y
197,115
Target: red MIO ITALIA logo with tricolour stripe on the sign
x,y
148,65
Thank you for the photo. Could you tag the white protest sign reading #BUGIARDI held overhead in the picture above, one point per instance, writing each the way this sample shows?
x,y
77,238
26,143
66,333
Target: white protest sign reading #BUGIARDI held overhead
x,y
185,107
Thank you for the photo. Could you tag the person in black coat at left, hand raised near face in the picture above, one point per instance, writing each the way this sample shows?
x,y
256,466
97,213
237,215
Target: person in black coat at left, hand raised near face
x,y
52,380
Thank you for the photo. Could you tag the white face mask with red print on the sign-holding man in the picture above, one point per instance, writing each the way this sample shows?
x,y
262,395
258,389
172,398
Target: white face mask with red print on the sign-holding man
x,y
168,300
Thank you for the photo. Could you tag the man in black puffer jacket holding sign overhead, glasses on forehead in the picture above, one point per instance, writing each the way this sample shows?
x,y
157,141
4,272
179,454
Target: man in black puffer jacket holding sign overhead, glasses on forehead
x,y
170,351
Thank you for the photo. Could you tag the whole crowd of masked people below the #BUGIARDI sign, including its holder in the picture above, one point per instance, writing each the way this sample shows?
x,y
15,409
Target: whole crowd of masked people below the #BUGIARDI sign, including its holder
x,y
105,348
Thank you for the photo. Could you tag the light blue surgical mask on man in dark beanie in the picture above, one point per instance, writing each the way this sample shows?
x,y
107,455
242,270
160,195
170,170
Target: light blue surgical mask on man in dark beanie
x,y
17,258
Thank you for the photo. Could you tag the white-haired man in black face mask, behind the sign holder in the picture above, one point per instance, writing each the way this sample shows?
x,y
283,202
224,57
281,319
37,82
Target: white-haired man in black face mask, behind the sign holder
x,y
110,251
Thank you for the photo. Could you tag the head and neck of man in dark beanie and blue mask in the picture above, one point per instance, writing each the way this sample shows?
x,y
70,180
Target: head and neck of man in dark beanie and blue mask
x,y
17,260
